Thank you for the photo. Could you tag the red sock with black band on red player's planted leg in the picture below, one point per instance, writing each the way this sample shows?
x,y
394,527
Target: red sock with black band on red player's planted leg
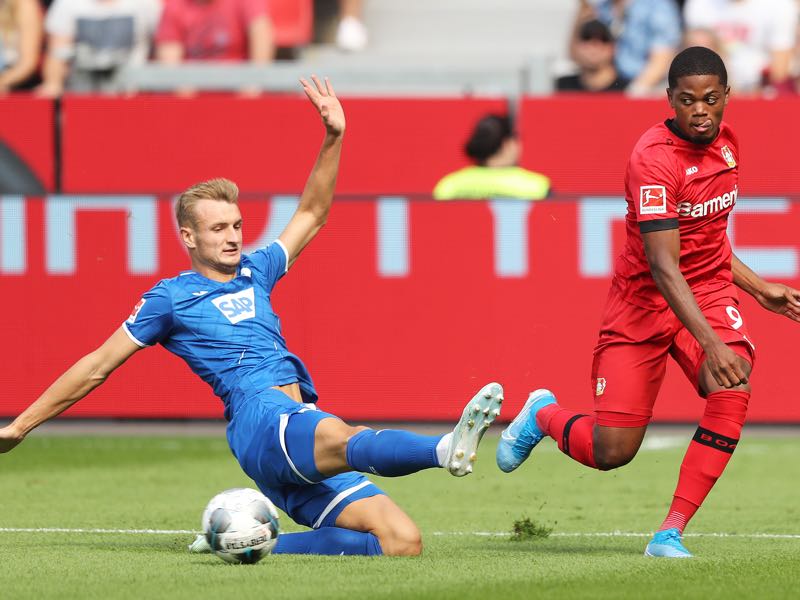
x,y
708,454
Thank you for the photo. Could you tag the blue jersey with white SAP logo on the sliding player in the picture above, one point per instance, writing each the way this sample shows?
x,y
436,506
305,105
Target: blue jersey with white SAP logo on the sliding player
x,y
226,332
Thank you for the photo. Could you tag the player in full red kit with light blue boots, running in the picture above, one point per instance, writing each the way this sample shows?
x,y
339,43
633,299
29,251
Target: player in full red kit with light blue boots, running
x,y
673,294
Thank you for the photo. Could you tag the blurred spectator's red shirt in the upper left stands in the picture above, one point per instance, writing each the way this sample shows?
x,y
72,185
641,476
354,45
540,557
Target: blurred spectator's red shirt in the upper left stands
x,y
216,30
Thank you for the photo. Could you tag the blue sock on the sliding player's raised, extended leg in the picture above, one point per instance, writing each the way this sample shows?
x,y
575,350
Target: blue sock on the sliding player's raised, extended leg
x,y
391,452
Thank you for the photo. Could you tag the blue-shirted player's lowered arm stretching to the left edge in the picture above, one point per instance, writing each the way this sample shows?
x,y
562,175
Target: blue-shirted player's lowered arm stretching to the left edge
x,y
80,379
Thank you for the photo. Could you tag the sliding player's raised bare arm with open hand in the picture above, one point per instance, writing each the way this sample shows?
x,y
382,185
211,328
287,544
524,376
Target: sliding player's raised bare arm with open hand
x,y
315,203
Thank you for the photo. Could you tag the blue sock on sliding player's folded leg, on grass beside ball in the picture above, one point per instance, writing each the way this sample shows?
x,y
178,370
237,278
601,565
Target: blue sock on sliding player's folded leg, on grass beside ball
x,y
328,540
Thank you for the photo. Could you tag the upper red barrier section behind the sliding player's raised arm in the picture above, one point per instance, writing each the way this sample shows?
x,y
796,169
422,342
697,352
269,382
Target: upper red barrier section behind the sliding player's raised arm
x,y
164,144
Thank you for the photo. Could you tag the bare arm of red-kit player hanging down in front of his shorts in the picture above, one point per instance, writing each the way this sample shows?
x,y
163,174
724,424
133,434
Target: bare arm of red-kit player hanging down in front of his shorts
x,y
663,254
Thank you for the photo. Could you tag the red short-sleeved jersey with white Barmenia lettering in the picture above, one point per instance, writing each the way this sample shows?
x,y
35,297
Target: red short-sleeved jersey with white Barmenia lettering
x,y
672,183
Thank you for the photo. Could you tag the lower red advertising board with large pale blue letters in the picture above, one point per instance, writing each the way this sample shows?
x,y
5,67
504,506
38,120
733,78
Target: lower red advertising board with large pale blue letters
x,y
401,308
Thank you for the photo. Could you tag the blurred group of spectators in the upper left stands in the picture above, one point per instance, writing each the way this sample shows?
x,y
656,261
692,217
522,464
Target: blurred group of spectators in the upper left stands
x,y
52,46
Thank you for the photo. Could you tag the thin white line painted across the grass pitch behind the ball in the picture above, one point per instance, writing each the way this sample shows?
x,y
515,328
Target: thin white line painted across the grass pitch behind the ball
x,y
769,536
